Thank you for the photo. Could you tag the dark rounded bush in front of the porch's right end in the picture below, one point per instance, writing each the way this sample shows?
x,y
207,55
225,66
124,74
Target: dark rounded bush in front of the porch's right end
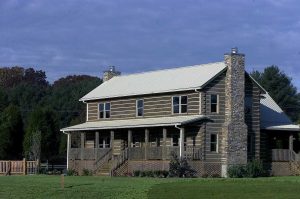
x,y
180,167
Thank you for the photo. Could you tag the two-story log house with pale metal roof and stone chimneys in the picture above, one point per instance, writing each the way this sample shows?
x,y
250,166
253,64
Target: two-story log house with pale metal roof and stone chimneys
x,y
215,115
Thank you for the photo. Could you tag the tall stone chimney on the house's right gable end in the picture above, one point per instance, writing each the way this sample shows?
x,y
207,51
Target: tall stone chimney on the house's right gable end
x,y
234,133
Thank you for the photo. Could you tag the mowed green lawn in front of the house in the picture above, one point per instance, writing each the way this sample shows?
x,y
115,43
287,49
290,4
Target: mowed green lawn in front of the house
x,y
106,187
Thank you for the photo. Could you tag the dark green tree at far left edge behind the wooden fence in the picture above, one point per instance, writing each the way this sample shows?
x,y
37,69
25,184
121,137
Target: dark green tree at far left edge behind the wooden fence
x,y
11,133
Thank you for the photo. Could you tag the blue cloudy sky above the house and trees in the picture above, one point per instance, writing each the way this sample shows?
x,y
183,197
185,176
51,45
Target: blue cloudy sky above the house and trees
x,y
66,37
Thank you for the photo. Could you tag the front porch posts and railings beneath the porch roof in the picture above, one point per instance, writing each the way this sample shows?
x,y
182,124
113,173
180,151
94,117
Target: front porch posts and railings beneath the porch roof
x,y
140,144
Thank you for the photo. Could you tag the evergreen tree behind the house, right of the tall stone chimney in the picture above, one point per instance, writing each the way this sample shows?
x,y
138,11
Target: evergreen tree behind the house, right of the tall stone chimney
x,y
281,89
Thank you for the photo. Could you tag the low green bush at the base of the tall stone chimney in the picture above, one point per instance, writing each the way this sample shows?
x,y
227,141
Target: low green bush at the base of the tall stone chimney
x,y
252,169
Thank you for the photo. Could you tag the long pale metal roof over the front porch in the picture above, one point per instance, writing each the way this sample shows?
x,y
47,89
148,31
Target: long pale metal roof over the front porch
x,y
135,123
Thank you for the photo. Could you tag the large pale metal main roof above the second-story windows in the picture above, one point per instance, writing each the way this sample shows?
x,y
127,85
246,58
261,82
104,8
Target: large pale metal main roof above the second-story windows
x,y
160,81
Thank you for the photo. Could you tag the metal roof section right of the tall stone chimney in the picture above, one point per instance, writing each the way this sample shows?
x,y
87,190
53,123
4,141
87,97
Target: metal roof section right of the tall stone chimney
x,y
273,117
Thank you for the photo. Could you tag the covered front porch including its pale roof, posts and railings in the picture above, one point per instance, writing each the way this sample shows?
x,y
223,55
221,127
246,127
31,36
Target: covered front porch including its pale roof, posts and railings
x,y
155,139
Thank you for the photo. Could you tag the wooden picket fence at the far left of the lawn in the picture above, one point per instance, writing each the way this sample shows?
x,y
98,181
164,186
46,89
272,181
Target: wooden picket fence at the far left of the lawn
x,y
18,167
